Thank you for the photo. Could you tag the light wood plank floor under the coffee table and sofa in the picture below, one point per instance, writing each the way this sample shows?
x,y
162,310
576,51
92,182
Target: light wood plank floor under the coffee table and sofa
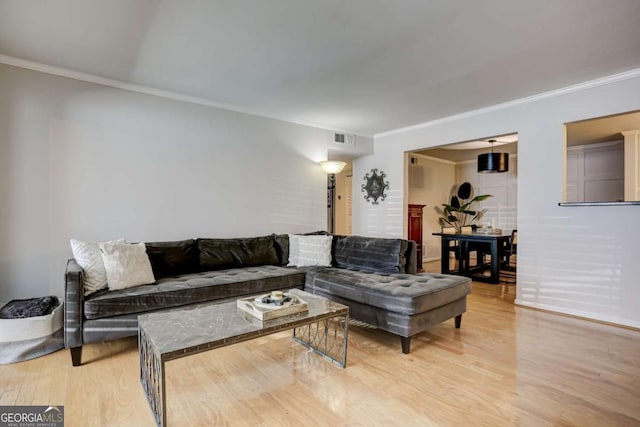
x,y
507,365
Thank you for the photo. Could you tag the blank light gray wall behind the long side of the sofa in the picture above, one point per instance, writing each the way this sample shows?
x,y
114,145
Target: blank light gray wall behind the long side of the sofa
x,y
93,162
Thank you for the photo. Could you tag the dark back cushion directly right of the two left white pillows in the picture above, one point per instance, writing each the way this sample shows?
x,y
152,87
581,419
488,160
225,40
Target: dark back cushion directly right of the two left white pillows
x,y
173,258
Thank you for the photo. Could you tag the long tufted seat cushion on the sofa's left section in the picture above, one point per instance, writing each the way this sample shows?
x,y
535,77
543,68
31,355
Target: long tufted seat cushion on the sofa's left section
x,y
192,288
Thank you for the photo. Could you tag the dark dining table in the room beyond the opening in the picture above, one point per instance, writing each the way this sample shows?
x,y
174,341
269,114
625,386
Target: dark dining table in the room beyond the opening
x,y
483,243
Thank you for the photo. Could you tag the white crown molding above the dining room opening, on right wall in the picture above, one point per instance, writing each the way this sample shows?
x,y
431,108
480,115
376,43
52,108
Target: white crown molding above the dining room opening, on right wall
x,y
630,74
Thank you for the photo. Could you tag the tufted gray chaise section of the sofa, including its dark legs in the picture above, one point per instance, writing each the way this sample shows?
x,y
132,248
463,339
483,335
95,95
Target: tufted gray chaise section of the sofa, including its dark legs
x,y
403,304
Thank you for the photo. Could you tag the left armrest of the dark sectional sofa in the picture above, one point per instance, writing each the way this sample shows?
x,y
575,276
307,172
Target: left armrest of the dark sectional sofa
x,y
73,304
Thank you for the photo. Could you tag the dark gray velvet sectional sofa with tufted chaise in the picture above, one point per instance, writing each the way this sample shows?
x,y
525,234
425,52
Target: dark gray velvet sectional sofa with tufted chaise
x,y
375,277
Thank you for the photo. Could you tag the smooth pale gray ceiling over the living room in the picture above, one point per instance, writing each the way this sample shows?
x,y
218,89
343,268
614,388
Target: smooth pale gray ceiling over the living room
x,y
361,66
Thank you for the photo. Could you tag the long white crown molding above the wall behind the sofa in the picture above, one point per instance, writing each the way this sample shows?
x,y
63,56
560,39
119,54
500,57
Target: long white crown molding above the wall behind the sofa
x,y
147,90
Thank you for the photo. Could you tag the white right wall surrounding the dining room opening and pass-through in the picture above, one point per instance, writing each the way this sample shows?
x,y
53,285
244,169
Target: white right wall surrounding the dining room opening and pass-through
x,y
577,260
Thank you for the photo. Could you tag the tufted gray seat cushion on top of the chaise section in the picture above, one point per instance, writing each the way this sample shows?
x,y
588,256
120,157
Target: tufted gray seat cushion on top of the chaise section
x,y
401,293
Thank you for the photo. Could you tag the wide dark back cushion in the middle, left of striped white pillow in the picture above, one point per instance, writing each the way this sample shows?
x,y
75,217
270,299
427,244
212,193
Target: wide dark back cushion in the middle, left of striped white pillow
x,y
218,254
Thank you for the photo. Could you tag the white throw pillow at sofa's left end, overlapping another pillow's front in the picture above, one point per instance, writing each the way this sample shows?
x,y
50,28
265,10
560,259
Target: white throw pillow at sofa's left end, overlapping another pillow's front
x,y
126,265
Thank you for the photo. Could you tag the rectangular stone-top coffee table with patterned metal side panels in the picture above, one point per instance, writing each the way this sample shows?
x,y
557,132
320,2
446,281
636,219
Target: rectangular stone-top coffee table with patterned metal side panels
x,y
173,334
